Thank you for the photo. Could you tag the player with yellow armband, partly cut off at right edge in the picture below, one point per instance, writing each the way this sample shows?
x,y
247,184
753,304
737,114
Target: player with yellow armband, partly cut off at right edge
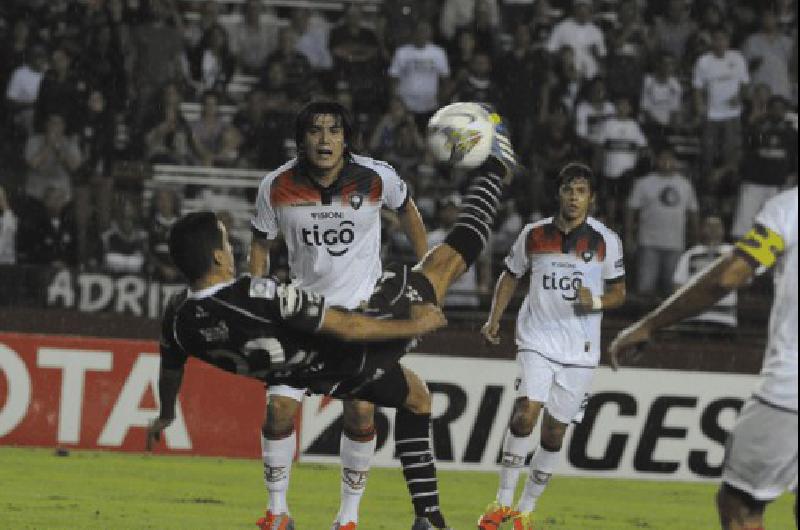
x,y
761,456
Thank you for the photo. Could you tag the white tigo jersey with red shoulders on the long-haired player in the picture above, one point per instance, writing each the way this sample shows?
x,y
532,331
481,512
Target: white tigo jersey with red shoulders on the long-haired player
x,y
333,234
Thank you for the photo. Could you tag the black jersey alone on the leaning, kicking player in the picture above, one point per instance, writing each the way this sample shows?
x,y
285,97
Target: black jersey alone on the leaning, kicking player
x,y
256,327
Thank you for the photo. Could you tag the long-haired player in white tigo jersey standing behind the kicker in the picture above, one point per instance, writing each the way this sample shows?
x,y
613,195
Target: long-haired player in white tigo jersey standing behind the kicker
x,y
326,203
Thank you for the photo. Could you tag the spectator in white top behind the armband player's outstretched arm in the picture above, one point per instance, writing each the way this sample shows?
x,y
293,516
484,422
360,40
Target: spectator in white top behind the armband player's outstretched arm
x,y
700,256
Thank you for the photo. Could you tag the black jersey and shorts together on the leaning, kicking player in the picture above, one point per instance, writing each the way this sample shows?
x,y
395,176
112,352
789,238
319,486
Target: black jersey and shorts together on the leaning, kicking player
x,y
260,328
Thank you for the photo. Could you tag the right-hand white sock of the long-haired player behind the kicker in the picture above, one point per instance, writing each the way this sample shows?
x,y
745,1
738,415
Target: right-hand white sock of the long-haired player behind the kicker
x,y
356,457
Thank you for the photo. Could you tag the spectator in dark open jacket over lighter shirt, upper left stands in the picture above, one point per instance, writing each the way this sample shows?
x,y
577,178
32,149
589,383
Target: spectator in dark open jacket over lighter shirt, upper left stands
x,y
211,63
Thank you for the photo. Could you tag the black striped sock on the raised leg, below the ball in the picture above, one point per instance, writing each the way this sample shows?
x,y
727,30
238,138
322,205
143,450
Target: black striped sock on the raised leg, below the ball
x,y
470,235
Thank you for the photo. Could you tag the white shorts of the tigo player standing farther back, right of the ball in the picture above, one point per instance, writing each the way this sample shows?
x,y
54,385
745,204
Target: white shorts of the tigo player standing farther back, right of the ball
x,y
561,388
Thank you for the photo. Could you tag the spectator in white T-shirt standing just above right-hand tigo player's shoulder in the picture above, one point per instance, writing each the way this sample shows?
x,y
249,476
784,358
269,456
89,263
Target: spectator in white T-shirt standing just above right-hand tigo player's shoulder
x,y
620,145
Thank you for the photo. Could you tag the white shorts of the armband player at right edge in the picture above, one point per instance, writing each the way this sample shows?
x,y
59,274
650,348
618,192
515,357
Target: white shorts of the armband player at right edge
x,y
761,452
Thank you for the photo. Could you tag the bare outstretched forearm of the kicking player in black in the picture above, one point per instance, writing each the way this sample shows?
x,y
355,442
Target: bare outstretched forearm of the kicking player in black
x,y
357,327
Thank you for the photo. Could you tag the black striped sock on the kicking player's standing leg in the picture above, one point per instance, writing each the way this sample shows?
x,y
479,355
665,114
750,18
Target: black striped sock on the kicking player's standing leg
x,y
412,439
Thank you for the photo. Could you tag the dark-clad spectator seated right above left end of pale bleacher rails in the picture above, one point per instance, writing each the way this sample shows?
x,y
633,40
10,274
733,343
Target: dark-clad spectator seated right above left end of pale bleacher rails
x,y
168,138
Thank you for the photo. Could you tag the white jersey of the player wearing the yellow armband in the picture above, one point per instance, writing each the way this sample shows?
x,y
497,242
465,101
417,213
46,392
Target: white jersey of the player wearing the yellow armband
x,y
773,242
